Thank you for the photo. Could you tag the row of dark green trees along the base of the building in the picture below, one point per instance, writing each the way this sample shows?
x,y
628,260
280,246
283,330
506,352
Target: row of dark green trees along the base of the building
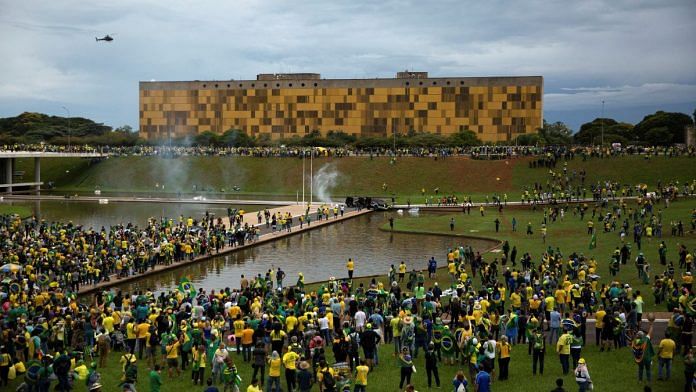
x,y
659,128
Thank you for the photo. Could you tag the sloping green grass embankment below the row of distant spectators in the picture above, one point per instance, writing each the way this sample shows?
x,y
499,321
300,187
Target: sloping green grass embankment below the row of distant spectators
x,y
354,176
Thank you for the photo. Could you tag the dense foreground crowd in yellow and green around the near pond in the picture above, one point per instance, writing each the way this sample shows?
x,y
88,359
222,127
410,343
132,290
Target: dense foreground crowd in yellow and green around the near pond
x,y
328,336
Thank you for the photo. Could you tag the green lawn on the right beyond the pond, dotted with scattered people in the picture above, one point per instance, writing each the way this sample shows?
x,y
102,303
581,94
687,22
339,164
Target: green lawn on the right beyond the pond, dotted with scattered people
x,y
570,235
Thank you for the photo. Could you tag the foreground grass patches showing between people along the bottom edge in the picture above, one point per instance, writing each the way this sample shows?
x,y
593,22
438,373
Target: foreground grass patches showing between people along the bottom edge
x,y
614,371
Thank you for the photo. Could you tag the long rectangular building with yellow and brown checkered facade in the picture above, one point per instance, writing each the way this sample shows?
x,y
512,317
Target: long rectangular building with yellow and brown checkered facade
x,y
285,105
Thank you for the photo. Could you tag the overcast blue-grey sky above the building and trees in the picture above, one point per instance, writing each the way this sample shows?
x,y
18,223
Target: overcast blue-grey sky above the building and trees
x,y
637,56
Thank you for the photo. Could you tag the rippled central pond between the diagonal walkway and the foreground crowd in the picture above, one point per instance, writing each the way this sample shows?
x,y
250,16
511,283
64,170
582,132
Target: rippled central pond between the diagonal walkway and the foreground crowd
x,y
318,254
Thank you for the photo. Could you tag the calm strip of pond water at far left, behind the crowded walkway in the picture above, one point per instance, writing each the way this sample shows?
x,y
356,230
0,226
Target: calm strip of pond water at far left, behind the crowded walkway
x,y
93,214
